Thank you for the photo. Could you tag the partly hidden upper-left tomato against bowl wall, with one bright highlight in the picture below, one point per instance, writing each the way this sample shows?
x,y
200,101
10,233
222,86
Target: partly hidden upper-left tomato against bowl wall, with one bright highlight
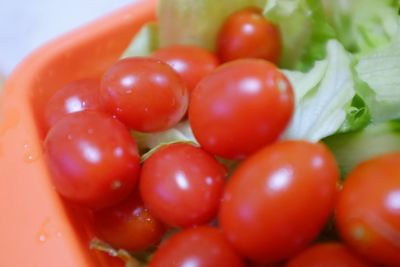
x,y
73,97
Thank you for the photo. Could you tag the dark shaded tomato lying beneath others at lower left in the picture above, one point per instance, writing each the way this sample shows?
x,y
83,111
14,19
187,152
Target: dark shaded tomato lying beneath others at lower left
x,y
128,225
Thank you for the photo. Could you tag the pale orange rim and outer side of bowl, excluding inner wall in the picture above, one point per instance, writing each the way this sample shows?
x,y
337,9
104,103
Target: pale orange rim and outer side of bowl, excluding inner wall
x,y
36,228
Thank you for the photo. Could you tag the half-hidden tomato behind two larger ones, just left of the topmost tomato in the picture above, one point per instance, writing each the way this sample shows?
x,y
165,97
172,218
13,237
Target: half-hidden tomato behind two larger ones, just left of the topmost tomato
x,y
191,62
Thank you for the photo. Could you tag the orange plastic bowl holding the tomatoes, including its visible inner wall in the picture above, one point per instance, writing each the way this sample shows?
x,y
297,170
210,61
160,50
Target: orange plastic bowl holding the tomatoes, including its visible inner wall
x,y
38,228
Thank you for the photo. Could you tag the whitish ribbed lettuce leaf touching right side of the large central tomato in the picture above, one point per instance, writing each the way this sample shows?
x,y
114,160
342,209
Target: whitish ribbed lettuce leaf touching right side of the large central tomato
x,y
323,95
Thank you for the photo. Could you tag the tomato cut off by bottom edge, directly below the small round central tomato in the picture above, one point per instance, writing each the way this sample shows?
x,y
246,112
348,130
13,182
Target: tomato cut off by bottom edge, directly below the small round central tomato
x,y
201,247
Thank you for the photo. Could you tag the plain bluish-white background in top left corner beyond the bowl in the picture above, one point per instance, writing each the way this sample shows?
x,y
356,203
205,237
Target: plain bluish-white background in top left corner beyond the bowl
x,y
27,24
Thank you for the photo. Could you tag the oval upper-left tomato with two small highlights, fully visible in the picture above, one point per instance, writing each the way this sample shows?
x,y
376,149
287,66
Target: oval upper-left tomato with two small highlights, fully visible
x,y
144,93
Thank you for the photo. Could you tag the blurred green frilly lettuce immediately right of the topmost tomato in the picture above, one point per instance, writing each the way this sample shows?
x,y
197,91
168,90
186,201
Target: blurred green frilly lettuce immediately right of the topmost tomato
x,y
304,30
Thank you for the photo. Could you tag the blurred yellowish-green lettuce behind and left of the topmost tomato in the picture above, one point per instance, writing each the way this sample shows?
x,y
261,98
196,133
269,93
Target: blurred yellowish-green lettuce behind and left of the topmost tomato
x,y
196,22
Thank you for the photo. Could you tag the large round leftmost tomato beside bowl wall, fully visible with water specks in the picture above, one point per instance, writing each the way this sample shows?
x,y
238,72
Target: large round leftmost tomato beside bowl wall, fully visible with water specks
x,y
92,158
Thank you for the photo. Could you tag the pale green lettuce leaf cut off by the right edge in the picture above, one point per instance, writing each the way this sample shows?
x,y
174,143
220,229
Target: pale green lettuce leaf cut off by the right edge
x,y
380,72
